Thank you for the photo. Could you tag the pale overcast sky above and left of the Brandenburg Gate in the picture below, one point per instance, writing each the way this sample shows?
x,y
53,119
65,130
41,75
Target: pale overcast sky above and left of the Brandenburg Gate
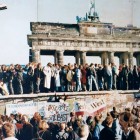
x,y
15,21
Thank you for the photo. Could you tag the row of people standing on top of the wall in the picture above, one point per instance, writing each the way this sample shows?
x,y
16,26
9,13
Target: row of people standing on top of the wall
x,y
33,78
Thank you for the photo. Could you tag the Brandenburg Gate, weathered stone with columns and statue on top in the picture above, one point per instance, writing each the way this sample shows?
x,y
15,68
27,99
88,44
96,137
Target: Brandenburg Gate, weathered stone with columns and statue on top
x,y
89,37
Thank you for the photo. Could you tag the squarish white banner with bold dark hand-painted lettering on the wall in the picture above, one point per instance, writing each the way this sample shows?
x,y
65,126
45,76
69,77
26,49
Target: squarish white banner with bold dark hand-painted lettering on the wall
x,y
57,112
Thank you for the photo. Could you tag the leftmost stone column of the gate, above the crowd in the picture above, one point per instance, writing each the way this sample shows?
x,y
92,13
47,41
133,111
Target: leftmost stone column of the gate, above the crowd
x,y
36,56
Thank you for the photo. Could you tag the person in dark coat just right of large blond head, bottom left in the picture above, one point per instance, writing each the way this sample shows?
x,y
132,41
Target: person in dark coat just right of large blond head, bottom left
x,y
27,130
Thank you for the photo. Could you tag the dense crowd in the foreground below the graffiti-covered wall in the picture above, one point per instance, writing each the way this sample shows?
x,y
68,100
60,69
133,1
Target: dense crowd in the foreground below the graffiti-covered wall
x,y
115,126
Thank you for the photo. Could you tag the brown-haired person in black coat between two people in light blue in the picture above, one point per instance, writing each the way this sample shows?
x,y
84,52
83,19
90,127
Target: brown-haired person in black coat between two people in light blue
x,y
107,133
